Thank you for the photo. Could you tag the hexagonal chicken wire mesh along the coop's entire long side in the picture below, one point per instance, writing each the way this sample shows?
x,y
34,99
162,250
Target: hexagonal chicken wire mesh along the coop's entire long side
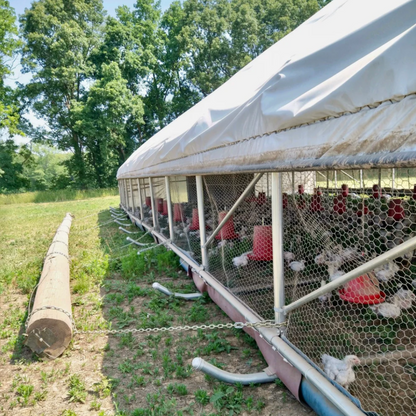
x,y
333,221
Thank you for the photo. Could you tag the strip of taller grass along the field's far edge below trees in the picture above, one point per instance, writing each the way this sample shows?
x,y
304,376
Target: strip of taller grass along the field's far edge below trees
x,y
56,196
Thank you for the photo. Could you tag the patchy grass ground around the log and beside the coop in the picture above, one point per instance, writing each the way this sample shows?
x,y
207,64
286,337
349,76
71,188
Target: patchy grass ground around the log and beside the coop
x,y
111,287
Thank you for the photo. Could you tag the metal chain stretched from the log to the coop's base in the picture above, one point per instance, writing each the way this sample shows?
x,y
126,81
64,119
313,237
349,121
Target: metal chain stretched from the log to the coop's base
x,y
237,325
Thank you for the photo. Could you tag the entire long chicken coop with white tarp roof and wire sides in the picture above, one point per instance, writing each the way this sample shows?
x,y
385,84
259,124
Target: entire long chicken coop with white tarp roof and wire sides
x,y
290,194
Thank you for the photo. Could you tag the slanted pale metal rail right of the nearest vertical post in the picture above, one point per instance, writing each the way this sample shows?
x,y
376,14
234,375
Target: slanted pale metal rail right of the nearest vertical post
x,y
353,274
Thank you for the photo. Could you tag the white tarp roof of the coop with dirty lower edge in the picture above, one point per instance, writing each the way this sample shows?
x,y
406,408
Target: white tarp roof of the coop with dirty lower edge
x,y
337,91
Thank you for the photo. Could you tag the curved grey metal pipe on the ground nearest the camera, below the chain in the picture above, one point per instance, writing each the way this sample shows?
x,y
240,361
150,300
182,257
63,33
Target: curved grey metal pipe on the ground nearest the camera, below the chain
x,y
254,378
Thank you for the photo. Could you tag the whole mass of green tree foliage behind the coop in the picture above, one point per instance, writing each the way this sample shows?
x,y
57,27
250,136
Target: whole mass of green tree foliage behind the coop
x,y
104,85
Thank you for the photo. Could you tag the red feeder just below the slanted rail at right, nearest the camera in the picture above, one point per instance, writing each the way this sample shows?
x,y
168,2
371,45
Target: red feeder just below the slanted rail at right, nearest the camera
x,y
364,290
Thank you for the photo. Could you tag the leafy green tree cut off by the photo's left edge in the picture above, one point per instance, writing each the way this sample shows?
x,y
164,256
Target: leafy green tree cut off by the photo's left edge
x,y
9,114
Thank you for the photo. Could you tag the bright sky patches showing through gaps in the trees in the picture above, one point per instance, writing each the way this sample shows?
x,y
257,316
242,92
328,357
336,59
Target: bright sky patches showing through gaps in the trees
x,y
20,5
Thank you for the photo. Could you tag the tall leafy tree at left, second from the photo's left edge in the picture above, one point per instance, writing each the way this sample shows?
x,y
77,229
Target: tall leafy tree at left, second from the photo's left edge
x,y
60,36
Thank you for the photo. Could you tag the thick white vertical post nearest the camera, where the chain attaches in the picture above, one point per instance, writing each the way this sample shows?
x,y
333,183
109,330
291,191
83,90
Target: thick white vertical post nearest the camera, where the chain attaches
x,y
278,261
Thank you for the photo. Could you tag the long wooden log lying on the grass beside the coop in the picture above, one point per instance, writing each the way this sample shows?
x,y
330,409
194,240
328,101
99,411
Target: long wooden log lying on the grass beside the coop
x,y
49,325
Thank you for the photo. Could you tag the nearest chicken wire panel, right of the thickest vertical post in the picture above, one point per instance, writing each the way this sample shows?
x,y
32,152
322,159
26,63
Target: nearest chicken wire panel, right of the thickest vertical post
x,y
350,218
